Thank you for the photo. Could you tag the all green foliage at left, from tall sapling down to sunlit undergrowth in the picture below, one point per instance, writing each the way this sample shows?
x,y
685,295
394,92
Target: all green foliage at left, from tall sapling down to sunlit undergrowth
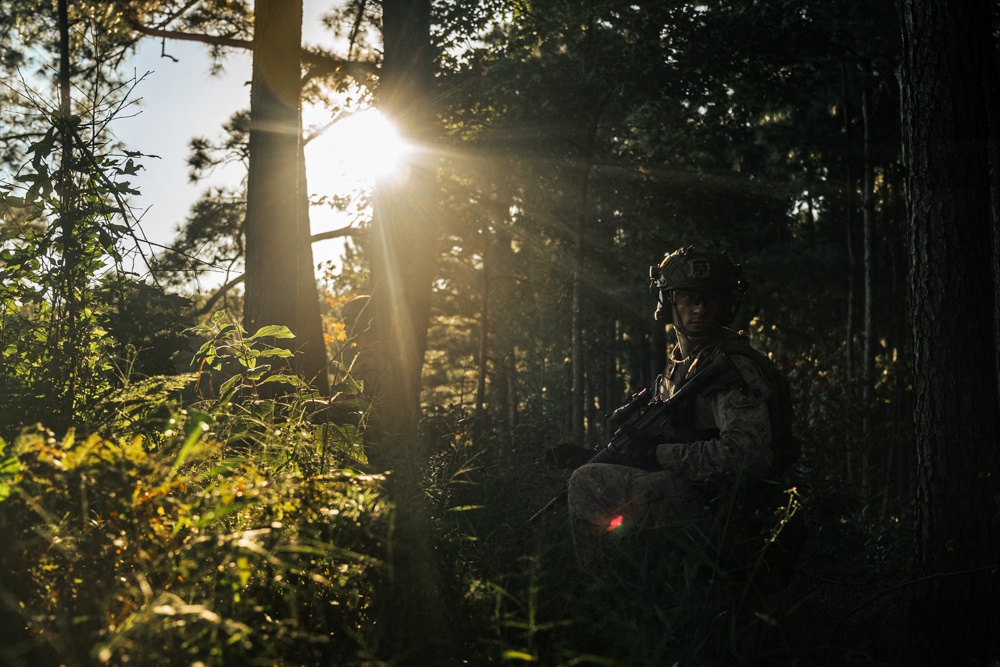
x,y
226,531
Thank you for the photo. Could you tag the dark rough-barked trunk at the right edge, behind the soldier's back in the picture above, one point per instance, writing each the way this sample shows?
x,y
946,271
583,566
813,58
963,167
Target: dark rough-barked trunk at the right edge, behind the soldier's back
x,y
948,68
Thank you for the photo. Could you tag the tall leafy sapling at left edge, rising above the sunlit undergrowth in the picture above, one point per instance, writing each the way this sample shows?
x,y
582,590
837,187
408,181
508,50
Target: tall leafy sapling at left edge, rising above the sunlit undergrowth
x,y
65,237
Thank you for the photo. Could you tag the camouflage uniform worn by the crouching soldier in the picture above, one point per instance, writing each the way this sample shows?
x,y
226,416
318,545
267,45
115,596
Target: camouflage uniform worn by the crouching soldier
x,y
735,433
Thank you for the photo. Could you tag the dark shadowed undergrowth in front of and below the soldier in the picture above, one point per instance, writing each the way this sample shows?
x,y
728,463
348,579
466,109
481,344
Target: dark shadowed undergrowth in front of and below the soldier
x,y
657,598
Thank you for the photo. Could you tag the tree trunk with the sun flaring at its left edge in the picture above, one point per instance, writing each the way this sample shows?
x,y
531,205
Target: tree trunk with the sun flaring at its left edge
x,y
401,256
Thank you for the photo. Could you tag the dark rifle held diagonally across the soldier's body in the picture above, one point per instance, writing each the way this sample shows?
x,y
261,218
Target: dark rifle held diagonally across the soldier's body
x,y
642,420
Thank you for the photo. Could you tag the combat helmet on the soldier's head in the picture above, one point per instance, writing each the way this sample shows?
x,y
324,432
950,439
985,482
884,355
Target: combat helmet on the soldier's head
x,y
700,269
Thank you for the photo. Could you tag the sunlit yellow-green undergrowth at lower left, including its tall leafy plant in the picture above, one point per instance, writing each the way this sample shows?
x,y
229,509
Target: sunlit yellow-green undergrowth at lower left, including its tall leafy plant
x,y
237,530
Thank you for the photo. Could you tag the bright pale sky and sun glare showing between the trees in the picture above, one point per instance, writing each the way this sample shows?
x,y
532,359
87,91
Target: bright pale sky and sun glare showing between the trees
x,y
178,98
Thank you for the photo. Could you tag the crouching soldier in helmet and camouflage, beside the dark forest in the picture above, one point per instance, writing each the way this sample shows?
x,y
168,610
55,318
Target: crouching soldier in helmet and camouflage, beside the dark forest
x,y
715,440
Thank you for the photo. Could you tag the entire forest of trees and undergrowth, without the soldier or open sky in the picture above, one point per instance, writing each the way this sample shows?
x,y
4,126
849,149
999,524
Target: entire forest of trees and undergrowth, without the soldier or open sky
x,y
337,464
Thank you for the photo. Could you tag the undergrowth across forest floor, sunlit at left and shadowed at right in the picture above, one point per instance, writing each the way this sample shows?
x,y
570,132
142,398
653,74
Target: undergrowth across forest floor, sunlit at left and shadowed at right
x,y
244,532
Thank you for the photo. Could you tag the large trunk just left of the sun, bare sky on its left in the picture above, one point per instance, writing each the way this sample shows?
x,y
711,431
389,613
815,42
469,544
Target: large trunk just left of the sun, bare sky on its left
x,y
280,280
